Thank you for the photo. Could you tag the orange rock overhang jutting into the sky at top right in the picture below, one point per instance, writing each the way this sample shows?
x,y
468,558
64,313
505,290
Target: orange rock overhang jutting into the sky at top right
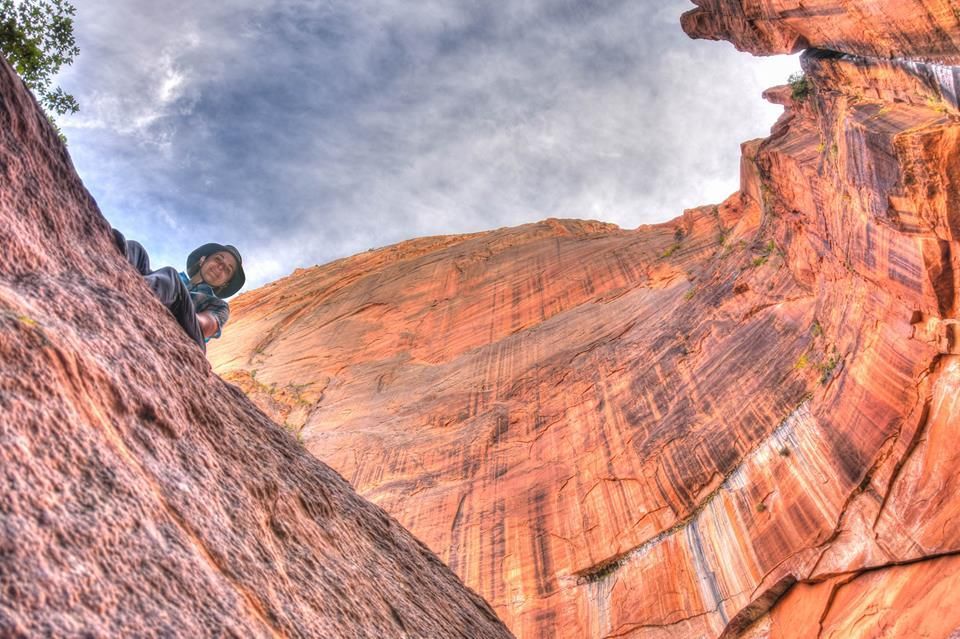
x,y
922,29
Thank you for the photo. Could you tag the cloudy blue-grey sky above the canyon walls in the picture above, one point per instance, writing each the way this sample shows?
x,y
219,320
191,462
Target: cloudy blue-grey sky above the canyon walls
x,y
303,131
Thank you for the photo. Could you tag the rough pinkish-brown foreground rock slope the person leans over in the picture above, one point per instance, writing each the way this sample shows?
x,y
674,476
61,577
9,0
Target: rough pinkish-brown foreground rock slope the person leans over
x,y
142,496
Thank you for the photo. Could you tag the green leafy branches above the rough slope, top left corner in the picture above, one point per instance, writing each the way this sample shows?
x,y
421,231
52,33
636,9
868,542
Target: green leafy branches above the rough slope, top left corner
x,y
36,37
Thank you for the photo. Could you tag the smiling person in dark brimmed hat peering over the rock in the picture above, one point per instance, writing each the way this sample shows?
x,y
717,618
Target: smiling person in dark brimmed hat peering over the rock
x,y
195,298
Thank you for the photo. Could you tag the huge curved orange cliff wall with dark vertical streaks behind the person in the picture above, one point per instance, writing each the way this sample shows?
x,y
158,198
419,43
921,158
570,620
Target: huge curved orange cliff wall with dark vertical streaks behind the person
x,y
717,426
